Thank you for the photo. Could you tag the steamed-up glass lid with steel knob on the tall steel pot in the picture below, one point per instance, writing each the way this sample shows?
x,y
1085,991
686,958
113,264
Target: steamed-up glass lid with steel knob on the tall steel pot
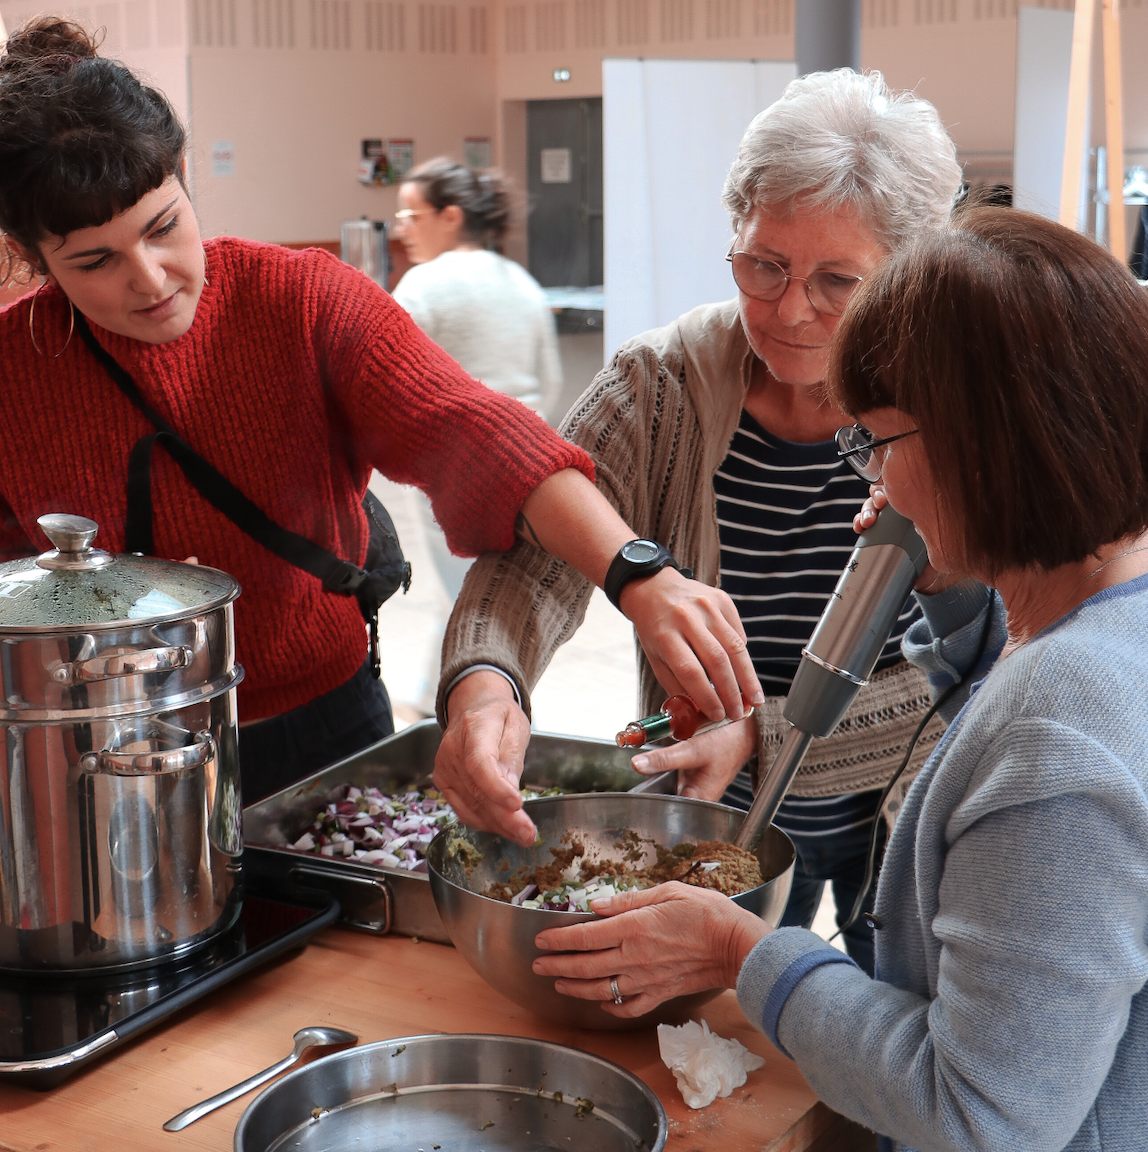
x,y
78,586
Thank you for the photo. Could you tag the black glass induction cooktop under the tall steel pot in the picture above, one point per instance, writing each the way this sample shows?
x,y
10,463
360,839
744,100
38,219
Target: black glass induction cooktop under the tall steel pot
x,y
52,1026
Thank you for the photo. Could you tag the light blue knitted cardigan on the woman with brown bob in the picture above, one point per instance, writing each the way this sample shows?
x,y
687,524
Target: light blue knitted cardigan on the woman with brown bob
x,y
1009,1010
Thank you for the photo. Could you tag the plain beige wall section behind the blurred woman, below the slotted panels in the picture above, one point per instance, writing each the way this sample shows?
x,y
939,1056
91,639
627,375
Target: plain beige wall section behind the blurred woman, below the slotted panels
x,y
298,119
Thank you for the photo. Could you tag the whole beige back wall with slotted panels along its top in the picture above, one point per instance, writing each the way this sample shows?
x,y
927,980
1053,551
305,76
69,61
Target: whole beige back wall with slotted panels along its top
x,y
296,85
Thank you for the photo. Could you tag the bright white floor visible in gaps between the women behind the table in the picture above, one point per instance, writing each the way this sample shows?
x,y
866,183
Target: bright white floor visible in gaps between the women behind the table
x,y
590,689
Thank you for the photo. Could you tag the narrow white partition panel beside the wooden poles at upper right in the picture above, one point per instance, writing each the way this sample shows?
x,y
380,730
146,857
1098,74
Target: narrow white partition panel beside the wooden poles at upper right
x,y
1044,59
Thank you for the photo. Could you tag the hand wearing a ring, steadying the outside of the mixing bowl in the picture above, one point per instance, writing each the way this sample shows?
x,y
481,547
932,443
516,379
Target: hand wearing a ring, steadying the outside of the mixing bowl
x,y
662,943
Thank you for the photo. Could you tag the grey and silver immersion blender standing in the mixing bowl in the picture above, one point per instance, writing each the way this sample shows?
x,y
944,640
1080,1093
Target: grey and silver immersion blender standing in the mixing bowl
x,y
887,563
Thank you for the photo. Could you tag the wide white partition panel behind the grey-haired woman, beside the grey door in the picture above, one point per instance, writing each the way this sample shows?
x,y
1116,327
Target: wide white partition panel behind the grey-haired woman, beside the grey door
x,y
671,131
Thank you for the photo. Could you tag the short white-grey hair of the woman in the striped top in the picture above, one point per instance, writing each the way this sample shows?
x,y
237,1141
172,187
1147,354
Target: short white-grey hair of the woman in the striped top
x,y
843,141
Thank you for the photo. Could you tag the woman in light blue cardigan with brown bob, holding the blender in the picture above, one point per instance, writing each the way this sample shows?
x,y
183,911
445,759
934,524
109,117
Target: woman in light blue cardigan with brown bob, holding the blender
x,y
1001,373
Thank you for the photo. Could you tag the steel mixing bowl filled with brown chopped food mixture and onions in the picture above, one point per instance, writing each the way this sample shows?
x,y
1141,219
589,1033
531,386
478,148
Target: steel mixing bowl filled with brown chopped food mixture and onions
x,y
617,838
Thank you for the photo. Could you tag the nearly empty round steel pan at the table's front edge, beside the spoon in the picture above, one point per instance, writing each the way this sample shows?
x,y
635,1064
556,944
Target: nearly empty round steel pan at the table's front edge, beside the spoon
x,y
467,1094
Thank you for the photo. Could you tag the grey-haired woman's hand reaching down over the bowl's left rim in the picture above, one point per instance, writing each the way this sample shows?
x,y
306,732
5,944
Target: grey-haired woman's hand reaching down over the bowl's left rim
x,y
480,762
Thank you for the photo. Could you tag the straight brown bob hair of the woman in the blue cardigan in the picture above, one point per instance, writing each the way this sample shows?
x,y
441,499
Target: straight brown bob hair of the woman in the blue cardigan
x,y
1021,352
